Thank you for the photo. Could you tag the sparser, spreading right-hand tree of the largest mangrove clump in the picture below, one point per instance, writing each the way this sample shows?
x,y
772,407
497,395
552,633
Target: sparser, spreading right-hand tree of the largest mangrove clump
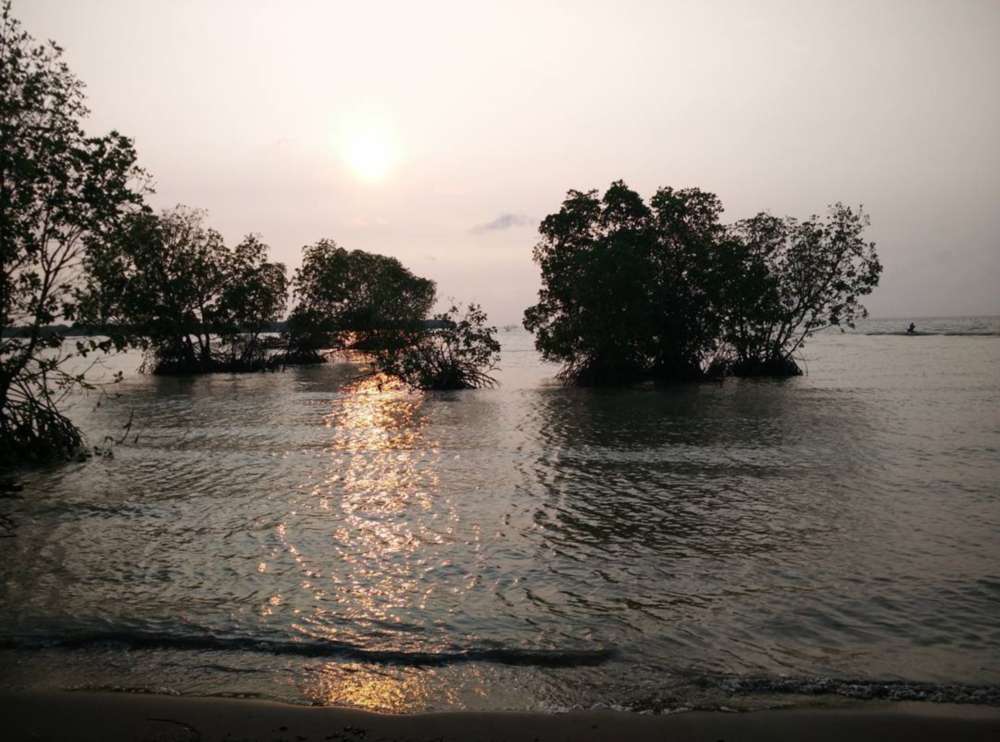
x,y
786,279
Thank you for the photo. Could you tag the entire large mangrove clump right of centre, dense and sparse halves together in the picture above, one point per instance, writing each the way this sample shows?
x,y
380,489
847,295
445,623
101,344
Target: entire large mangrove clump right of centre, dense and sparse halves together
x,y
666,291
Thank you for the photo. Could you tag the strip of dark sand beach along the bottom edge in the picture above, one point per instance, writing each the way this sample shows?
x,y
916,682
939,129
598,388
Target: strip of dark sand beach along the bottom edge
x,y
110,717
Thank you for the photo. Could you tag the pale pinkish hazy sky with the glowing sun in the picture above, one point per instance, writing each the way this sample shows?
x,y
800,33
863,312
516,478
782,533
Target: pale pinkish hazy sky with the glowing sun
x,y
441,133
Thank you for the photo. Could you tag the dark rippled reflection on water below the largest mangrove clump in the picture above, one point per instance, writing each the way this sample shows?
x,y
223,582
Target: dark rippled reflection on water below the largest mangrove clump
x,y
712,470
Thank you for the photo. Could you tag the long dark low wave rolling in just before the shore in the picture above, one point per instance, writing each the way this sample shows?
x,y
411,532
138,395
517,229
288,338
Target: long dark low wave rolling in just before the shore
x,y
555,658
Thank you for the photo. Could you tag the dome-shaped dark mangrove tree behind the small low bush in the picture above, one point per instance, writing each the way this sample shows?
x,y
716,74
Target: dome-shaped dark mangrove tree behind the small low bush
x,y
352,299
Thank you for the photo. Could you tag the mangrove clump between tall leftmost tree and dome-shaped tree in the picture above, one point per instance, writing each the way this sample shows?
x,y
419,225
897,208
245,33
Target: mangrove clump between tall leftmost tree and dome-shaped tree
x,y
170,285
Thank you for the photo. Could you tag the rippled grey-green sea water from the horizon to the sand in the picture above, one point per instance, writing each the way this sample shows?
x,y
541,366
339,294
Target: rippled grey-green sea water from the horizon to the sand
x,y
303,537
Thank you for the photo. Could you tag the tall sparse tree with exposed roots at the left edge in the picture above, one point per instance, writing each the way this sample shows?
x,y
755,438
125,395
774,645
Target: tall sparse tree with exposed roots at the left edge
x,y
61,192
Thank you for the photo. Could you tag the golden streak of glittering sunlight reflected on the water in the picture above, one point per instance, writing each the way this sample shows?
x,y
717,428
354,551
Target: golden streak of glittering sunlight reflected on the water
x,y
382,472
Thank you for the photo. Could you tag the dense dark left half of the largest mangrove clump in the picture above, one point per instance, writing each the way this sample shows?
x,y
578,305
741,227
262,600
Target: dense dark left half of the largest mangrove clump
x,y
626,289
